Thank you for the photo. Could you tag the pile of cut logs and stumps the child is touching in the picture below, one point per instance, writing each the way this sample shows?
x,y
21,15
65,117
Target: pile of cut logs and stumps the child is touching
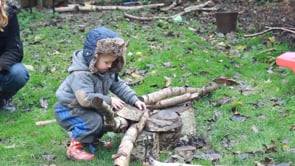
x,y
169,116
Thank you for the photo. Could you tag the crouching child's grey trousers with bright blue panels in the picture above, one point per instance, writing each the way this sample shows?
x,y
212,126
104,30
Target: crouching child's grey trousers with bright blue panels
x,y
84,124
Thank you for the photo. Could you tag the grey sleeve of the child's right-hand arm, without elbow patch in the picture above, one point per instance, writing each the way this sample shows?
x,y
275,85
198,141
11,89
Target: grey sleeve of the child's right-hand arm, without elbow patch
x,y
124,92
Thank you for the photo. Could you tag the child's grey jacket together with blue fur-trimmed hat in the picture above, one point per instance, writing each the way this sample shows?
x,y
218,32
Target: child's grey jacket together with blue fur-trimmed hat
x,y
84,82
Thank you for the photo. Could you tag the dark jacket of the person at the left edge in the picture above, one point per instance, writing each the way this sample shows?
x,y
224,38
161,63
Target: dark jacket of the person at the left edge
x,y
11,48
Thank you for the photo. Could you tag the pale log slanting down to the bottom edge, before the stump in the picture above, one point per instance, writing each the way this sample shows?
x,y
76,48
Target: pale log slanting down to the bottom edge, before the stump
x,y
122,157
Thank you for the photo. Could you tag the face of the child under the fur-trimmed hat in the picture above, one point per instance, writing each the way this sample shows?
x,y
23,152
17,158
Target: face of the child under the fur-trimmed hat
x,y
104,63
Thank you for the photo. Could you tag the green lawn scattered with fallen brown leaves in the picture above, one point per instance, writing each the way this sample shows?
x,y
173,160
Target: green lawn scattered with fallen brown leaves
x,y
195,59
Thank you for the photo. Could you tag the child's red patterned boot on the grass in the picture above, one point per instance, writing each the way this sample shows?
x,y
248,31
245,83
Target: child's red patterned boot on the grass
x,y
76,152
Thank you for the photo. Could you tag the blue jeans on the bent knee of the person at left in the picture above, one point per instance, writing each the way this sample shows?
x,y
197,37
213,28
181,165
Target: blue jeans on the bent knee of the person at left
x,y
13,80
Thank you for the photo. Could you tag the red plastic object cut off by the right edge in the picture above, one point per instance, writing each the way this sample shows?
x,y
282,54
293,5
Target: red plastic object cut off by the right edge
x,y
287,60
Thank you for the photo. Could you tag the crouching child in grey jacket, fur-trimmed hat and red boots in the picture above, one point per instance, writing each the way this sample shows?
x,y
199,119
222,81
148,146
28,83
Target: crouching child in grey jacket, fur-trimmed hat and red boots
x,y
81,96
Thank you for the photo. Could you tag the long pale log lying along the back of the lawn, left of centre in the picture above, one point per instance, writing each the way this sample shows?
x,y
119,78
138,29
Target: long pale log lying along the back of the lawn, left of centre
x,y
77,7
